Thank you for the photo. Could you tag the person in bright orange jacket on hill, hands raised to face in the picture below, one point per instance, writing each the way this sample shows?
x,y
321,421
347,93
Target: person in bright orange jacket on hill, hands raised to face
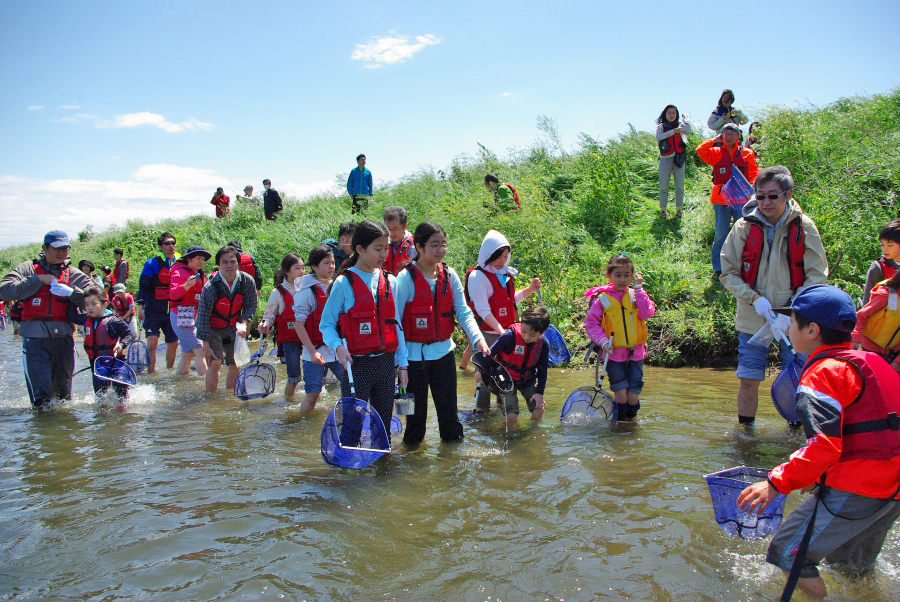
x,y
724,153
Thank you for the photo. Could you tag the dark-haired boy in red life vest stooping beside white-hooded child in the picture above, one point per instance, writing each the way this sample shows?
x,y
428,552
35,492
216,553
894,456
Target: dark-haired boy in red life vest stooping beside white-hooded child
x,y
525,354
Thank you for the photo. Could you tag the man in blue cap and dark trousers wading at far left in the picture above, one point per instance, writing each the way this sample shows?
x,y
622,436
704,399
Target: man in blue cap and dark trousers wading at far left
x,y
46,287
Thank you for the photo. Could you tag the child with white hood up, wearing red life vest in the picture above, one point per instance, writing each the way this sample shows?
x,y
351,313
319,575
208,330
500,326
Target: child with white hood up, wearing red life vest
x,y
491,291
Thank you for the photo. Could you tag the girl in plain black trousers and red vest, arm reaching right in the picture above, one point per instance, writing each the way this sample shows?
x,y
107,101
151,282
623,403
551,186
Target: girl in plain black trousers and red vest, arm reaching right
x,y
430,299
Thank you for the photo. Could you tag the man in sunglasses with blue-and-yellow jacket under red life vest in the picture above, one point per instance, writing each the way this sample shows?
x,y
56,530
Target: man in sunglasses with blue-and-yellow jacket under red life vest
x,y
153,300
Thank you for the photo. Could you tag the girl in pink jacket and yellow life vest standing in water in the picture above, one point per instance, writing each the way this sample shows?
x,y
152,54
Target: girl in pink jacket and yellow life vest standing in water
x,y
617,323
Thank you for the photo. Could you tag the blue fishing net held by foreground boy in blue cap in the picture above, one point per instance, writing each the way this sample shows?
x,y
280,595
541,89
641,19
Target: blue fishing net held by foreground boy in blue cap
x,y
725,487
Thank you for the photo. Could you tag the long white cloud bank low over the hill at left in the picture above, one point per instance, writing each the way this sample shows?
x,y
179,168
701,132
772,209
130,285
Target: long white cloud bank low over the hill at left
x,y
154,192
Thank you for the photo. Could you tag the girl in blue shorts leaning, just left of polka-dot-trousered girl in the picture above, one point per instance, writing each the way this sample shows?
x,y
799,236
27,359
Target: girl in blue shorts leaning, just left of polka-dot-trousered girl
x,y
309,302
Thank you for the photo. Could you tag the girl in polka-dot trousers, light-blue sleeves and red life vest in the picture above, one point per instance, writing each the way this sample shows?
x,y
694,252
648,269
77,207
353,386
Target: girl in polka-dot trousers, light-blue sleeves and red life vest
x,y
360,310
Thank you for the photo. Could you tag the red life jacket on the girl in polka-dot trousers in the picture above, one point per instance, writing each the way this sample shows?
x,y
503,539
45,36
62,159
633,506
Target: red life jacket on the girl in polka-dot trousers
x,y
369,326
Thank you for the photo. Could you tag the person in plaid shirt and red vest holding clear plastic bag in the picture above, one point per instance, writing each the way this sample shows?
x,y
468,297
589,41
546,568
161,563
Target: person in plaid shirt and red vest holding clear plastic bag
x,y
227,303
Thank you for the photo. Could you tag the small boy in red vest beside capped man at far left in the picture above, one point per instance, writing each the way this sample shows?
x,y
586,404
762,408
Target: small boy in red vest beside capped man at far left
x,y
104,335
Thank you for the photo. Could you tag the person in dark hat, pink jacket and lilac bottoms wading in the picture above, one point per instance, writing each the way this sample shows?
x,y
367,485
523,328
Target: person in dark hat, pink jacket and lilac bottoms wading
x,y
186,281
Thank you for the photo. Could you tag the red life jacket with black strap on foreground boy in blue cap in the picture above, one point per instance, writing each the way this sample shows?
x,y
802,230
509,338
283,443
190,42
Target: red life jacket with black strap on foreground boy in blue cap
x,y
870,427
